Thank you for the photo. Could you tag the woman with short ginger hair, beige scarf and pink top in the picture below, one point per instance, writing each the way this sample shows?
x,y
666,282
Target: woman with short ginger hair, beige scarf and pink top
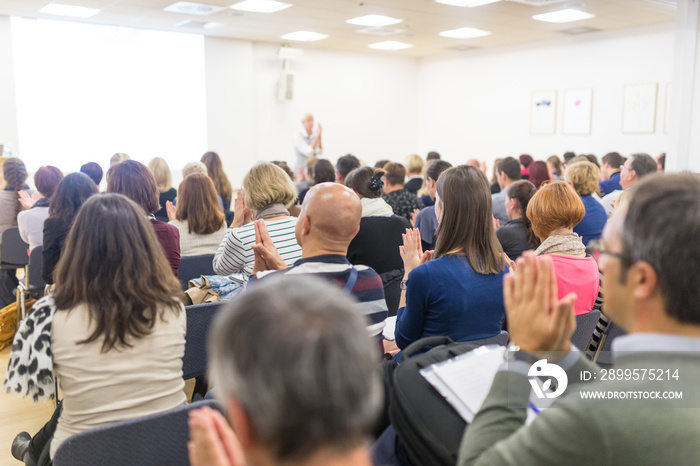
x,y
554,211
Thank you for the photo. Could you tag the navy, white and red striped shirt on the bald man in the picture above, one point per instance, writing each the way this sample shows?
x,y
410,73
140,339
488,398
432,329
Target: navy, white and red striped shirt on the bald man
x,y
368,289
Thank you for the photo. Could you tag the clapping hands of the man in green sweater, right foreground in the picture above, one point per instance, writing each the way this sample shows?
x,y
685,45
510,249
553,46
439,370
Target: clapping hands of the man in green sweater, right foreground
x,y
537,319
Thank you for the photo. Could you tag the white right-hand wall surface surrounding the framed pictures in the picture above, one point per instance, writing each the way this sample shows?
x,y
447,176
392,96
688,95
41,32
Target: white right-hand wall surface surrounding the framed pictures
x,y
476,104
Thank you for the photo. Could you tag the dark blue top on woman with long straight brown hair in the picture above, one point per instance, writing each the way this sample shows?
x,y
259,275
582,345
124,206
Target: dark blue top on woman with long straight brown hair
x,y
446,297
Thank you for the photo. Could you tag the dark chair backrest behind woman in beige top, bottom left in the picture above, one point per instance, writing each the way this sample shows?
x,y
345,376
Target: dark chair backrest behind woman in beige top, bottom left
x,y
158,439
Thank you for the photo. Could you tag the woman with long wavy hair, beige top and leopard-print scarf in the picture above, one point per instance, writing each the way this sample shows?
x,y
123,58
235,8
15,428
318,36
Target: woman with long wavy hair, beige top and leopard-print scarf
x,y
113,332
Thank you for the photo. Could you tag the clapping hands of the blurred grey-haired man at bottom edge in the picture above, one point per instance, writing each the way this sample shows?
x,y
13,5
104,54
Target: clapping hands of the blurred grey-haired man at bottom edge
x,y
212,441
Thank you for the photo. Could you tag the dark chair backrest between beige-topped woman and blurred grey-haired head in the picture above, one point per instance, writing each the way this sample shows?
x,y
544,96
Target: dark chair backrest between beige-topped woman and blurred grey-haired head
x,y
199,319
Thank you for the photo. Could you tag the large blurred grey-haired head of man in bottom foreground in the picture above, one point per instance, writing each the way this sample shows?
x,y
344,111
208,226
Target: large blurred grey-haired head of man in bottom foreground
x,y
294,353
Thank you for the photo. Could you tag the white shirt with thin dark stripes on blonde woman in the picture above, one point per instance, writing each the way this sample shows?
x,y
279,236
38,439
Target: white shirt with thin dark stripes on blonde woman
x,y
235,254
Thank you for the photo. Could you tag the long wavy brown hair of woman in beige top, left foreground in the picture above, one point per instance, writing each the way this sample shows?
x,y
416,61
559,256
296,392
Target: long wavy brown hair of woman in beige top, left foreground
x,y
113,263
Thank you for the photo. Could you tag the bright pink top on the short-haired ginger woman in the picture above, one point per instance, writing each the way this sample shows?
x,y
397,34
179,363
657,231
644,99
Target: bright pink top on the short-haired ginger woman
x,y
578,275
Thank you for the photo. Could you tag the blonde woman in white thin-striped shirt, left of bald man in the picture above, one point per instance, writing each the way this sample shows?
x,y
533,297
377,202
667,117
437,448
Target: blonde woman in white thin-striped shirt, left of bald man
x,y
267,195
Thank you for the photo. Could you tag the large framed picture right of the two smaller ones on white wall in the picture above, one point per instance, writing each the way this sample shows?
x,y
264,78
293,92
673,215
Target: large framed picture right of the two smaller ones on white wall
x,y
639,108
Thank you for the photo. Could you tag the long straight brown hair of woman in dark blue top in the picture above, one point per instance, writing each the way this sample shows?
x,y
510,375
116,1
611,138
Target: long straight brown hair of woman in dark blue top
x,y
465,197
